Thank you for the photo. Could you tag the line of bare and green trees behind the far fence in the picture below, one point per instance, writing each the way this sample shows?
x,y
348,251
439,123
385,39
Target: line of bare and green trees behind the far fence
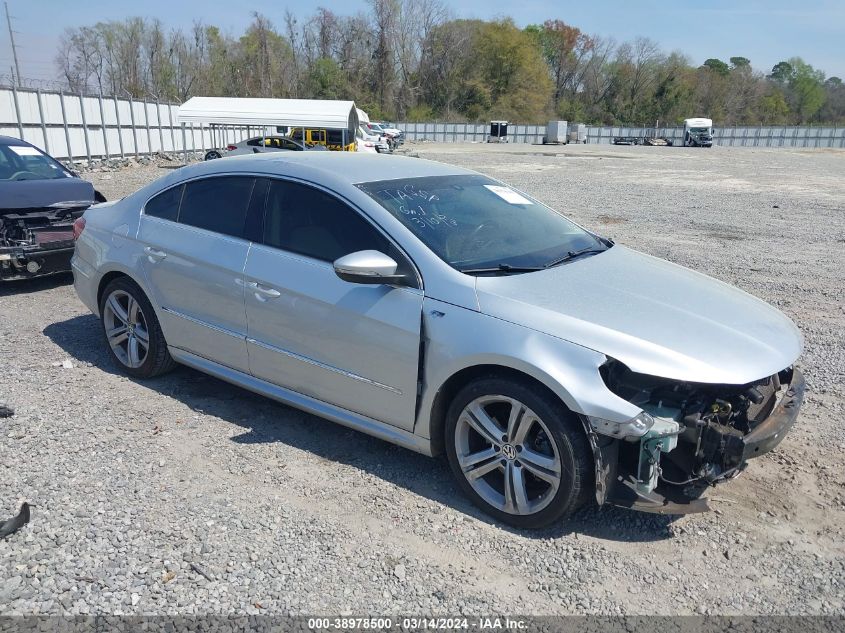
x,y
412,60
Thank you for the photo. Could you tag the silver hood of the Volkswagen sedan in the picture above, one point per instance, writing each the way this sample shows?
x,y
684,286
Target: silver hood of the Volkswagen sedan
x,y
655,317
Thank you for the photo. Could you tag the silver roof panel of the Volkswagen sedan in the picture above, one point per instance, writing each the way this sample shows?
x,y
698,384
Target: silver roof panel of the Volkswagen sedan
x,y
347,168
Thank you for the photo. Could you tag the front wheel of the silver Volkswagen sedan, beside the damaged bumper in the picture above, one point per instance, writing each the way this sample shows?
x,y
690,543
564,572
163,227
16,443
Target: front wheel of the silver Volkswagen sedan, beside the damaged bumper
x,y
517,452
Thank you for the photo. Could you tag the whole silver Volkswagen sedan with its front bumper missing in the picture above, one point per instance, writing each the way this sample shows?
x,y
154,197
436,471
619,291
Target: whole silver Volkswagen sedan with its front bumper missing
x,y
444,311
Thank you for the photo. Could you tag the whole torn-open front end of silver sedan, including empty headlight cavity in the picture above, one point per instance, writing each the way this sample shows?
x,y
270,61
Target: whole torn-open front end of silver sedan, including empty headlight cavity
x,y
689,436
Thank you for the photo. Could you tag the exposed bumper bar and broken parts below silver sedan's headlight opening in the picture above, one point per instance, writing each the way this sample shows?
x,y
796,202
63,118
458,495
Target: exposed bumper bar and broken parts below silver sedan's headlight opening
x,y
630,472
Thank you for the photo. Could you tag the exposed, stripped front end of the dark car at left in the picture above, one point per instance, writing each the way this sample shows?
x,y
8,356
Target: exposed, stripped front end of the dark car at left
x,y
36,242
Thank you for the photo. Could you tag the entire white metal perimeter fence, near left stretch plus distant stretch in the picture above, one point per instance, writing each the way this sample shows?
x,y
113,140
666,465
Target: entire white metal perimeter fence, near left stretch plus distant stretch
x,y
87,127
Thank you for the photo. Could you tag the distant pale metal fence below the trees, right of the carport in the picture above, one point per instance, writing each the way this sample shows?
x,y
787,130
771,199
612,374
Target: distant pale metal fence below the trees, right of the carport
x,y
776,136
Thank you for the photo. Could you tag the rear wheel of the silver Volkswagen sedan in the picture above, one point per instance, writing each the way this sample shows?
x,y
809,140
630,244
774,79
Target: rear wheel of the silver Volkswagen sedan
x,y
132,331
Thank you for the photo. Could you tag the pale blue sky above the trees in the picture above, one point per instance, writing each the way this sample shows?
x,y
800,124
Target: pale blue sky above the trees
x,y
764,31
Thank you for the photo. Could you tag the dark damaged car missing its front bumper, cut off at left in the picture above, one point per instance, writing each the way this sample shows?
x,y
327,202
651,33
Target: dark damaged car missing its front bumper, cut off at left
x,y
39,201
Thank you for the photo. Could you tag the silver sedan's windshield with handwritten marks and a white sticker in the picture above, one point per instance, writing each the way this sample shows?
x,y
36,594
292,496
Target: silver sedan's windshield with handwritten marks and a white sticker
x,y
473,222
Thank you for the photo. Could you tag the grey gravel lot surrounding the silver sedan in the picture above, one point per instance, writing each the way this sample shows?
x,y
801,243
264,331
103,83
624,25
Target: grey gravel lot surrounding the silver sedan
x,y
186,495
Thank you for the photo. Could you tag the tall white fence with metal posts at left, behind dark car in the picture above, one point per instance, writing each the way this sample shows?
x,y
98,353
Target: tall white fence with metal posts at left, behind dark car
x,y
74,126
